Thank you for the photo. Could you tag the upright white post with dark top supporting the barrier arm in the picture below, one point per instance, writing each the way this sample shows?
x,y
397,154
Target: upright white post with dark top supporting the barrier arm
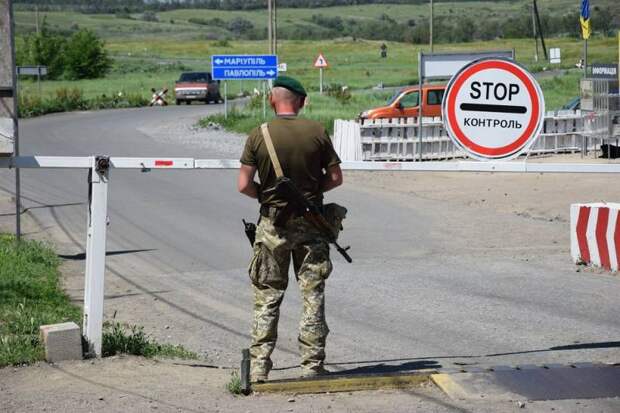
x,y
95,253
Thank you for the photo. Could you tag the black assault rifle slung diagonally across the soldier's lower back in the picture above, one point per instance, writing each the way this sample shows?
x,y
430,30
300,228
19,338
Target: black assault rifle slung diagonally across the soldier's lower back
x,y
297,200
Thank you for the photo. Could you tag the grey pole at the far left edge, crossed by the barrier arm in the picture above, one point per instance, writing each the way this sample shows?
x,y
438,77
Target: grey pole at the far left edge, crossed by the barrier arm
x,y
9,142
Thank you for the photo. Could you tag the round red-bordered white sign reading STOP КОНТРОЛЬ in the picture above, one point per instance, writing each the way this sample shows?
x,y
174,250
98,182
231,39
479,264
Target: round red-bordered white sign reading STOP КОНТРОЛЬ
x,y
493,109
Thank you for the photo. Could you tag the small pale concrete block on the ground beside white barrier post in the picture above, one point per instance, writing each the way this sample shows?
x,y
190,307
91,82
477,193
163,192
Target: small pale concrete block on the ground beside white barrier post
x,y
62,342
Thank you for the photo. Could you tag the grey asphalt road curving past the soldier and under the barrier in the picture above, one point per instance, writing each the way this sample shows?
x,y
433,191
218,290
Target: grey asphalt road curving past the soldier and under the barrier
x,y
431,285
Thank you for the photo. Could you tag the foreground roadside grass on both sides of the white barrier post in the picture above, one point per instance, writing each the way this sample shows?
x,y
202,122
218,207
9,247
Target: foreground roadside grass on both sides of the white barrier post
x,y
31,296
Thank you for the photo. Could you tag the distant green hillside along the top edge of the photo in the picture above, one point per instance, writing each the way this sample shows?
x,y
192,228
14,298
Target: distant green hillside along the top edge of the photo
x,y
455,21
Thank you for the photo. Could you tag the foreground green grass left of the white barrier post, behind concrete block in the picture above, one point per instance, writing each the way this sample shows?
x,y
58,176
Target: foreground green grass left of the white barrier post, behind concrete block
x,y
30,296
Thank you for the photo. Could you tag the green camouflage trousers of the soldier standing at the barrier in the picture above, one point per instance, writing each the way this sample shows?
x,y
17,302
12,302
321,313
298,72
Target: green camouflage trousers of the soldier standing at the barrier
x,y
268,271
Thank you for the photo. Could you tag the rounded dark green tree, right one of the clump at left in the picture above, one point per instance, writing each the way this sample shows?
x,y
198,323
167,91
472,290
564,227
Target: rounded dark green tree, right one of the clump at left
x,y
85,56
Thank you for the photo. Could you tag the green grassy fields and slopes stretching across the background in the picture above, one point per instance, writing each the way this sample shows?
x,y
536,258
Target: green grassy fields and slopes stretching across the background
x,y
153,54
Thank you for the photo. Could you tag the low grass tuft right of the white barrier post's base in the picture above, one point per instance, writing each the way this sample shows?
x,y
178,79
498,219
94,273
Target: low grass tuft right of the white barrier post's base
x,y
121,338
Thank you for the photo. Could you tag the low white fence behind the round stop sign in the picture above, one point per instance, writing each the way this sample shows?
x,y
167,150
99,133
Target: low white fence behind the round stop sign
x,y
396,139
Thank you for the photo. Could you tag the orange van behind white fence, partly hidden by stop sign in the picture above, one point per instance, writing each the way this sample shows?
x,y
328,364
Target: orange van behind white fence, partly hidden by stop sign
x,y
406,103
